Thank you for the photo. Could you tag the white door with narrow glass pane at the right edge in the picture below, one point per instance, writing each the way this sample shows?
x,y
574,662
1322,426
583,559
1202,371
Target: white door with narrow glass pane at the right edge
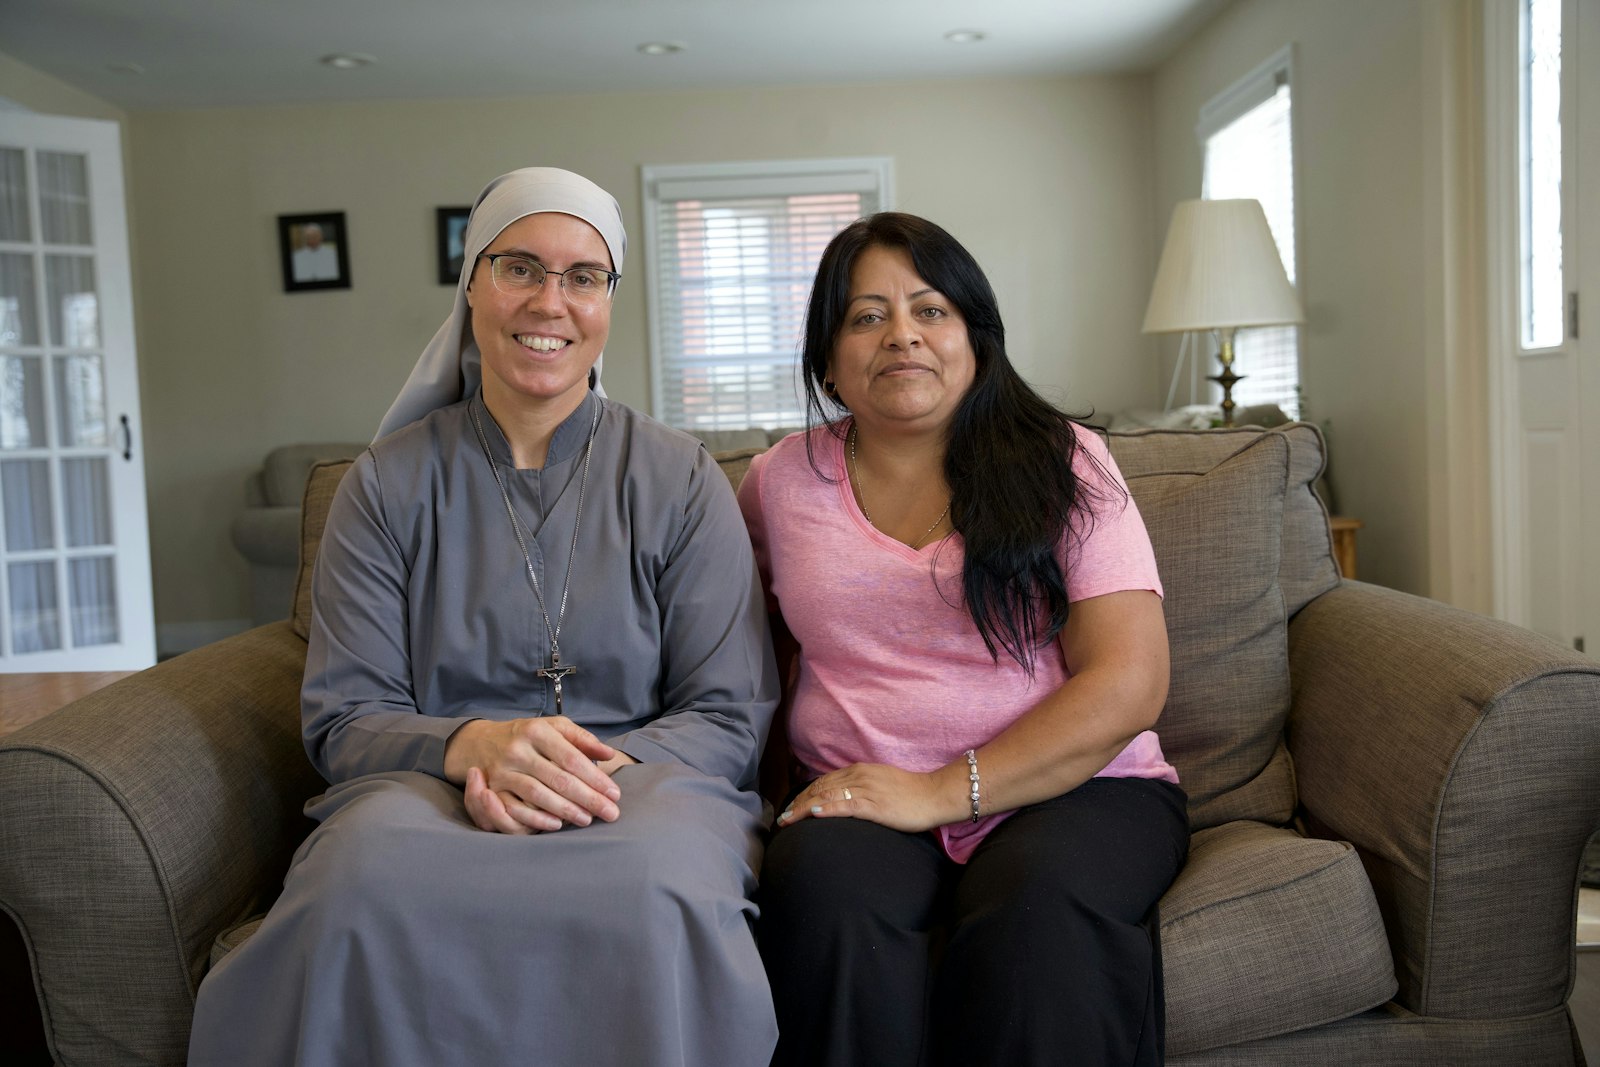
x,y
1543,68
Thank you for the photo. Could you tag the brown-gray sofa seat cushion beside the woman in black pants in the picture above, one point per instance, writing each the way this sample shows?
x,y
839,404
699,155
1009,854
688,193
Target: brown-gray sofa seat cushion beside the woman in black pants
x,y
1265,933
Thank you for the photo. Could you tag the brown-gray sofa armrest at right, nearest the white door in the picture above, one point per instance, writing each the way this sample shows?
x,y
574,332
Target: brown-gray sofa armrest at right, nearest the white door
x,y
1460,756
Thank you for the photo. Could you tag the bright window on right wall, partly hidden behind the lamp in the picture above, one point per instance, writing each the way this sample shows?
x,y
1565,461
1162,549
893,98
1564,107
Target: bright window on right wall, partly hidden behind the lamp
x,y
1249,138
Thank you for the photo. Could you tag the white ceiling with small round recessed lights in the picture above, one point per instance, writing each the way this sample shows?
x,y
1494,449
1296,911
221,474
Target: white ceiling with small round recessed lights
x,y
222,54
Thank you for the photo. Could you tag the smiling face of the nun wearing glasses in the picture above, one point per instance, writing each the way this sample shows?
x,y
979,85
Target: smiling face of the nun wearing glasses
x,y
537,345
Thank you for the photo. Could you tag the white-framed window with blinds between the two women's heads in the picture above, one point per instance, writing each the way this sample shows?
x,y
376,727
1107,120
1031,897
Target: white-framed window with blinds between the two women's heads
x,y
730,255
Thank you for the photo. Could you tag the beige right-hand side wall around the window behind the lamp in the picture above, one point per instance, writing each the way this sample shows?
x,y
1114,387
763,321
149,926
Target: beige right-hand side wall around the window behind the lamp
x,y
1364,129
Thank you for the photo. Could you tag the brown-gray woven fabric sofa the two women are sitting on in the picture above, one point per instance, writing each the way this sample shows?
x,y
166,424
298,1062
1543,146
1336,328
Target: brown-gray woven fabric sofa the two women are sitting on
x,y
1390,801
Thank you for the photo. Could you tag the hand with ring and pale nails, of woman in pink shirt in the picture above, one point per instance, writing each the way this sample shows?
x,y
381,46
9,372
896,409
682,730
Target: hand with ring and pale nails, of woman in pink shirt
x,y
903,801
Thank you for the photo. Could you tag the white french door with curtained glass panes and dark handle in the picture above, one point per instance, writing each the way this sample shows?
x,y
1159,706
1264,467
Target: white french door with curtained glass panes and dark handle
x,y
74,541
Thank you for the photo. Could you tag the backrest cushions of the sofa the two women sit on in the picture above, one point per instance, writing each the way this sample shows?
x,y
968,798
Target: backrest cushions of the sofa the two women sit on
x,y
1242,545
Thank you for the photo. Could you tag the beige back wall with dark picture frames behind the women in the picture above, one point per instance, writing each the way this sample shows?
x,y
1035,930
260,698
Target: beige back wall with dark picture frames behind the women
x,y
1049,183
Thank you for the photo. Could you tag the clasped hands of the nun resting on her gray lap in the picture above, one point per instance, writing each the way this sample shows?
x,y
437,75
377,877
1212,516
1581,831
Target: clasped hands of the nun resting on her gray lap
x,y
534,775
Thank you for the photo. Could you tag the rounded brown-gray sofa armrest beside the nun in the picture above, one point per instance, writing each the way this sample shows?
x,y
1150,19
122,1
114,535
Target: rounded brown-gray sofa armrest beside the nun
x,y
140,823
